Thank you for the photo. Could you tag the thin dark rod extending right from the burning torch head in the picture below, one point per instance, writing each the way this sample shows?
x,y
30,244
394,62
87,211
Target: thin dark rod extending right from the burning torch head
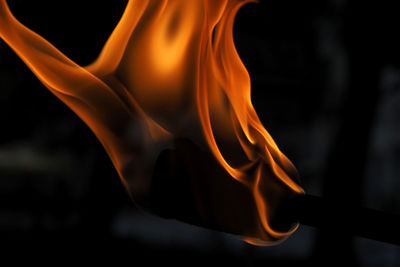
x,y
341,218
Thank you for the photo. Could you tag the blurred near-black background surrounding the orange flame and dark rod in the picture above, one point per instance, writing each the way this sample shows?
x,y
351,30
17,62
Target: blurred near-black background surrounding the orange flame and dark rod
x,y
325,82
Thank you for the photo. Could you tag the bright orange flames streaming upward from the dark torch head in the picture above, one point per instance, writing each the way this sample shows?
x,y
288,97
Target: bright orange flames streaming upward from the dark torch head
x,y
170,71
